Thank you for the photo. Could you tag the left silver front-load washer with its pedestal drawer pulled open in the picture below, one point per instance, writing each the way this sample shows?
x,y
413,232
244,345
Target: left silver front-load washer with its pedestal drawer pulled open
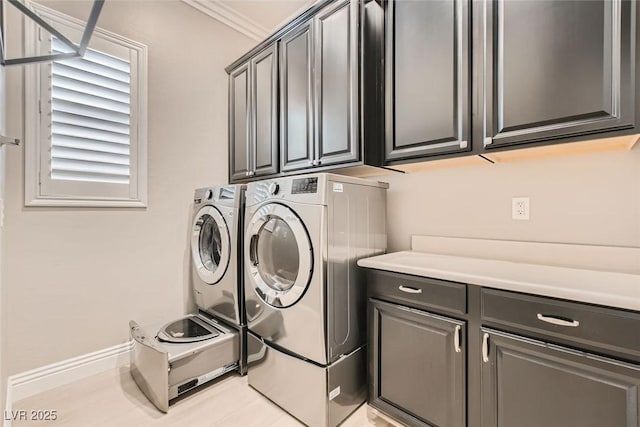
x,y
172,358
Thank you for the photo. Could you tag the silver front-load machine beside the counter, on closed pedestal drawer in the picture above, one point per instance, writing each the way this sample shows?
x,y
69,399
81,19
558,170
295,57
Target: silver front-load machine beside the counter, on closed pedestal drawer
x,y
305,295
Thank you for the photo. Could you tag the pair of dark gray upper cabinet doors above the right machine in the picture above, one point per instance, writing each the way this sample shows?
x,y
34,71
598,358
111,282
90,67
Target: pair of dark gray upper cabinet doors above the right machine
x,y
320,80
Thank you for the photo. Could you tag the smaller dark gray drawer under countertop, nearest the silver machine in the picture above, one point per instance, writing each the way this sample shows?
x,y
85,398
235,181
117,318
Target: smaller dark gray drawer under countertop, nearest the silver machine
x,y
419,292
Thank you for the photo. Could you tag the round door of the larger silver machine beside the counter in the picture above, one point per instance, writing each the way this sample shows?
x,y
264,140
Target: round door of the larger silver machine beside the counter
x,y
279,258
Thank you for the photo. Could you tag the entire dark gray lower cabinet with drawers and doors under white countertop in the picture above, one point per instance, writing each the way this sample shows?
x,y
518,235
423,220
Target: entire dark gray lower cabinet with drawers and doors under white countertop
x,y
446,354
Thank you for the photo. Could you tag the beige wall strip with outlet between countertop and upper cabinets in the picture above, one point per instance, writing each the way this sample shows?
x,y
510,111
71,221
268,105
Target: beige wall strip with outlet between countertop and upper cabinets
x,y
585,199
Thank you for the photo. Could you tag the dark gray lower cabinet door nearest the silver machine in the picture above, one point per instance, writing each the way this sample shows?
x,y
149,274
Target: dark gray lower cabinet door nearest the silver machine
x,y
418,363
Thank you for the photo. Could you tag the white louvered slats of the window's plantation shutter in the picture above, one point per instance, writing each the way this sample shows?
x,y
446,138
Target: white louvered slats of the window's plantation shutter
x,y
90,118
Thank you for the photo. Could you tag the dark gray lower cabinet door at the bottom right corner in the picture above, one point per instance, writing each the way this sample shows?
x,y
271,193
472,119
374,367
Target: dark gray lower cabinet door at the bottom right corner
x,y
527,383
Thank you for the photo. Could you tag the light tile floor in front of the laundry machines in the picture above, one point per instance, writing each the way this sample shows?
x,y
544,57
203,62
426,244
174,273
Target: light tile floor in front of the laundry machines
x,y
112,399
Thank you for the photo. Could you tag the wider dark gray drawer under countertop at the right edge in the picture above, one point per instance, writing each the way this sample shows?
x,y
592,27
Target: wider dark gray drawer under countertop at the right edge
x,y
600,327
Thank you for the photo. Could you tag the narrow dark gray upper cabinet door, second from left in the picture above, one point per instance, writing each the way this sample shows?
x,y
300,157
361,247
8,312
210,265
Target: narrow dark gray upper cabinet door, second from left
x,y
264,144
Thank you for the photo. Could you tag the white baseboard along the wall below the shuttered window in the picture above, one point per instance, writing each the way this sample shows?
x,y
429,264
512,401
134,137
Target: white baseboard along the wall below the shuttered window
x,y
29,383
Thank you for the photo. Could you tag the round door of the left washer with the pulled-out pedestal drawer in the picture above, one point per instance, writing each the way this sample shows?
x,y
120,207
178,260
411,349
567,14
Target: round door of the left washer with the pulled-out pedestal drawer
x,y
210,245
